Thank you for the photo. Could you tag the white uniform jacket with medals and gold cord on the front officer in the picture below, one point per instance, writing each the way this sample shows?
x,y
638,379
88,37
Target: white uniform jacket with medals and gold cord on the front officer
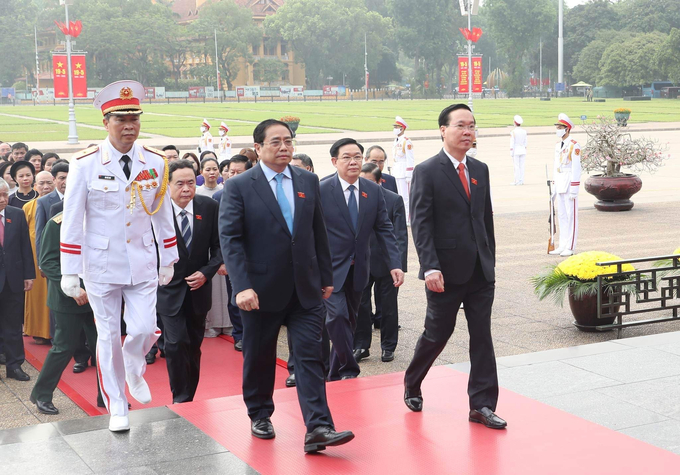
x,y
101,239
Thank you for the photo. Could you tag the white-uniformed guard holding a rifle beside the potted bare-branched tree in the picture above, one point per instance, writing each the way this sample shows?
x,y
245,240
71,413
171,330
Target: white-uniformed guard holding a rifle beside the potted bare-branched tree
x,y
567,179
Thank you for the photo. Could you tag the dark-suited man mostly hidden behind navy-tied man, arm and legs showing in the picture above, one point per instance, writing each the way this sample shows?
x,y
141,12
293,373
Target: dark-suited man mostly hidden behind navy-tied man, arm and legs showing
x,y
380,276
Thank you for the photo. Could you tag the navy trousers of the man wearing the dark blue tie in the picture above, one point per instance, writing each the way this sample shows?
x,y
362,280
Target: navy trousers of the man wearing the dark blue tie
x,y
341,321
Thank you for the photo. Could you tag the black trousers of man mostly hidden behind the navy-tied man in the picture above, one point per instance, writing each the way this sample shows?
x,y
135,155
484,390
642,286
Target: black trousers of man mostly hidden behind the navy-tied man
x,y
389,323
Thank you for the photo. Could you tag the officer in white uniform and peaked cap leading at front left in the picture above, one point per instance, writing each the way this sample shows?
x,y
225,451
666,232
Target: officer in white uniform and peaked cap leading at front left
x,y
116,192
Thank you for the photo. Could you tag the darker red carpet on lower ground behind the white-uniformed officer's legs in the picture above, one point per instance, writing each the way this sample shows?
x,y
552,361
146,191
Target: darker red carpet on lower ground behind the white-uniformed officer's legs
x,y
221,376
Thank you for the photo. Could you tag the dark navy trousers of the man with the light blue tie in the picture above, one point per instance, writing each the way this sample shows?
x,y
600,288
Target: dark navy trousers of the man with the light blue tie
x,y
260,335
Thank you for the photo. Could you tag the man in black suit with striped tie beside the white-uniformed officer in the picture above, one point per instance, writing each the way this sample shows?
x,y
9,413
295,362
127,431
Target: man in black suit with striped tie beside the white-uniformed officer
x,y
183,304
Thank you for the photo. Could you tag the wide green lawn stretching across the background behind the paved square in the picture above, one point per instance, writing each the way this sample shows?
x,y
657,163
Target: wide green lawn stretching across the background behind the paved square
x,y
183,120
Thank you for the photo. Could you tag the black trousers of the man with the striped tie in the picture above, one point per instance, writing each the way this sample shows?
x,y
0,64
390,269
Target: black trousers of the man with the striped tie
x,y
182,347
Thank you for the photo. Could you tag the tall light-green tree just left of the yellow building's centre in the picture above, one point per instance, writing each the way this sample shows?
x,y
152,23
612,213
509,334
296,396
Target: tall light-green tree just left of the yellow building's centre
x,y
236,32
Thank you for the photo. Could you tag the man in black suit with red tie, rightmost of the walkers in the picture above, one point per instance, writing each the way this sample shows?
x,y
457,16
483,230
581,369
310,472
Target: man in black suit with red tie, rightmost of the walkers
x,y
452,224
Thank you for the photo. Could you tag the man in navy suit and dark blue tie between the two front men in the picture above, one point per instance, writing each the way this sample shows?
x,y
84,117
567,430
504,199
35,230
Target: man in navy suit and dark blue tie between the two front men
x,y
355,210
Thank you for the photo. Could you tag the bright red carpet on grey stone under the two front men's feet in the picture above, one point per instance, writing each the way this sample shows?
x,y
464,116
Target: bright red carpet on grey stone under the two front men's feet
x,y
390,439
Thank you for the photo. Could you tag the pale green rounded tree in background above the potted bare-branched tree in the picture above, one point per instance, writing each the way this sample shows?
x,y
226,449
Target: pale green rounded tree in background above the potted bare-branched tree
x,y
631,62
